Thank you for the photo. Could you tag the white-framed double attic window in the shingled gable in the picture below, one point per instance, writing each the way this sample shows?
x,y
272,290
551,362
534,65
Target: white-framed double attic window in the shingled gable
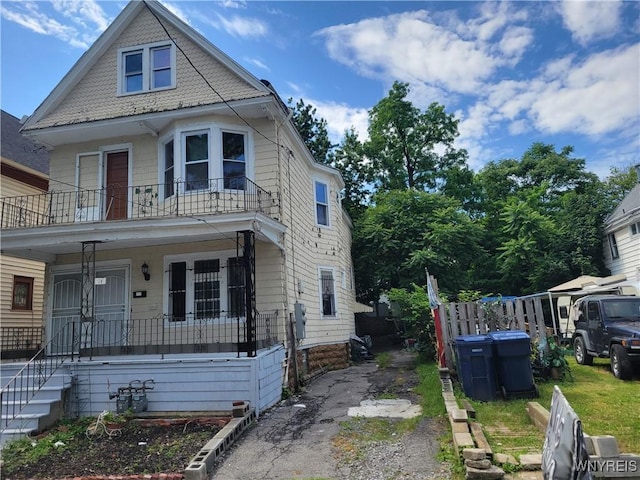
x,y
146,68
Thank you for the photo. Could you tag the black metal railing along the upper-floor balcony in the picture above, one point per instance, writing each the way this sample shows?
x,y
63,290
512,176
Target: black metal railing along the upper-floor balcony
x,y
179,198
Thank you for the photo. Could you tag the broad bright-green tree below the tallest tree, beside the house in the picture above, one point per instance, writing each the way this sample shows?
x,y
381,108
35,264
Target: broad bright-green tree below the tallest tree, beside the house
x,y
405,231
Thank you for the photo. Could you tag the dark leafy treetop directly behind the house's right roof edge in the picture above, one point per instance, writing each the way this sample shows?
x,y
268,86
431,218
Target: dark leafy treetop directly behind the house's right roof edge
x,y
313,130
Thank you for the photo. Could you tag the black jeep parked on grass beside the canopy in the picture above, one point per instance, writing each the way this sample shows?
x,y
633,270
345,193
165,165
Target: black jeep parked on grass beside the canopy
x,y
608,326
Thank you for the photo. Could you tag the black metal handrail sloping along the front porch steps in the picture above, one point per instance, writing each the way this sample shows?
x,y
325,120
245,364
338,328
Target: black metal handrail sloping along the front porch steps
x,y
25,384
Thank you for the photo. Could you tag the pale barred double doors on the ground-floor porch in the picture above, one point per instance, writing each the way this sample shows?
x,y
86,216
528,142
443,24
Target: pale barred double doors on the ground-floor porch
x,y
110,306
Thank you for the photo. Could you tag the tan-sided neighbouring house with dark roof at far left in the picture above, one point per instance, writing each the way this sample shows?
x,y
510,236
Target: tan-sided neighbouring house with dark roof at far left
x,y
25,168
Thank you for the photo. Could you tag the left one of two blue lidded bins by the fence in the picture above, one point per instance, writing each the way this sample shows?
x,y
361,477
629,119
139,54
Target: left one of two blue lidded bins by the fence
x,y
476,369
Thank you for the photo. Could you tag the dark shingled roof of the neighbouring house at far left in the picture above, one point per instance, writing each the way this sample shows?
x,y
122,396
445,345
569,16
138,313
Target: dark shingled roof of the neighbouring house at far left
x,y
20,149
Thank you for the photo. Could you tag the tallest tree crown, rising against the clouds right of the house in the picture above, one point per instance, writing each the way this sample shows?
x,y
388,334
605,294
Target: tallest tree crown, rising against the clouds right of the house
x,y
404,143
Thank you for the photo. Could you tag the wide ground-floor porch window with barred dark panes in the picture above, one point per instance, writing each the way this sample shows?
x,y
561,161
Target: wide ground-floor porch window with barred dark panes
x,y
205,288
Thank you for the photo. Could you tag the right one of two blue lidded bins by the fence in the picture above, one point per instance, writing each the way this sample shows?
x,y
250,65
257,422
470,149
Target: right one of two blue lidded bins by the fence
x,y
512,357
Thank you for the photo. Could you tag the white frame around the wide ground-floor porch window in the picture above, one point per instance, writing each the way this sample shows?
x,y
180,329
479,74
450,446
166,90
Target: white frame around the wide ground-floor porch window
x,y
223,314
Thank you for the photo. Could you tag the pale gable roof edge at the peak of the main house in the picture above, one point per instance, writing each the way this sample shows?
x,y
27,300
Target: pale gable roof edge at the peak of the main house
x,y
109,36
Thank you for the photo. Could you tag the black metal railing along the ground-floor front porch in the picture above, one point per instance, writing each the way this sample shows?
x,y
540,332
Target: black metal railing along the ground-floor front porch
x,y
166,335
